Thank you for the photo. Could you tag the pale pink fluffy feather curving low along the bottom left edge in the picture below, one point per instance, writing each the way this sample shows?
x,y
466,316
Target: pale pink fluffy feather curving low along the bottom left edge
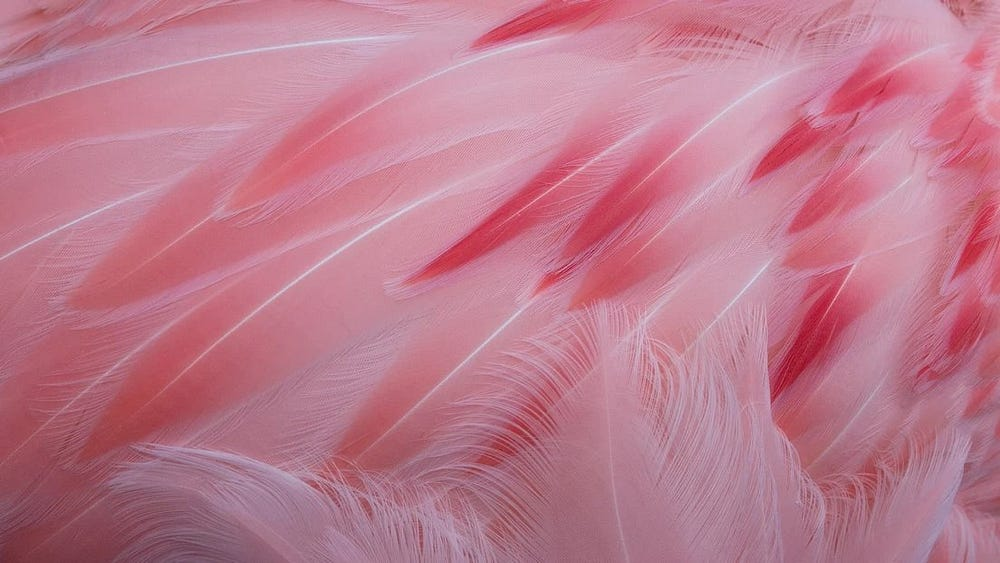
x,y
246,509
